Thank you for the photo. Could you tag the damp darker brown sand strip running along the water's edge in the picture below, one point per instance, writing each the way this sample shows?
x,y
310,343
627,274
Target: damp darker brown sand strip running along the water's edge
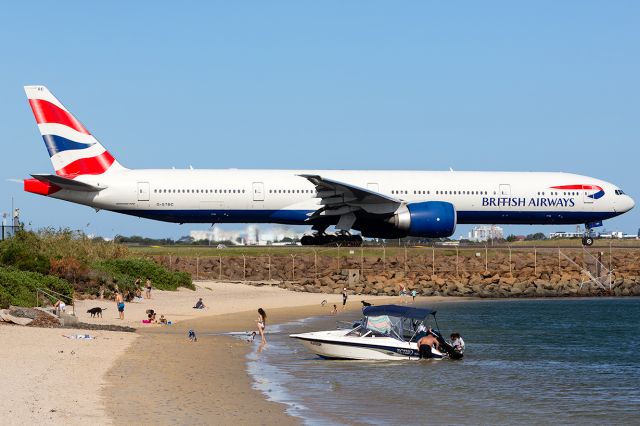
x,y
165,379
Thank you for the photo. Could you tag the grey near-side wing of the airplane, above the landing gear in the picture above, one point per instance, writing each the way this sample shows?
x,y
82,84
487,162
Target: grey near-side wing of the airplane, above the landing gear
x,y
343,199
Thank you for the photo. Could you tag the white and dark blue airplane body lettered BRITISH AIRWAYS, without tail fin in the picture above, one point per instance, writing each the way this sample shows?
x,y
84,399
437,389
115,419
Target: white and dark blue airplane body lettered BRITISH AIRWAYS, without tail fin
x,y
282,196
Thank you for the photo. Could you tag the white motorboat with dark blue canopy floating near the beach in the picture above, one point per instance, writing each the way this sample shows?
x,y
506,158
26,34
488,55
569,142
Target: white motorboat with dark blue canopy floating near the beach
x,y
386,332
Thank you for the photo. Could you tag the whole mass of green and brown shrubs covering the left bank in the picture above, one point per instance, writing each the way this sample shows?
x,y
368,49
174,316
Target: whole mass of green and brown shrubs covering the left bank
x,y
70,261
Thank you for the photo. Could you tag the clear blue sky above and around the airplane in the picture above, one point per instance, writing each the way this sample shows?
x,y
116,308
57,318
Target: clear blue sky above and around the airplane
x,y
548,85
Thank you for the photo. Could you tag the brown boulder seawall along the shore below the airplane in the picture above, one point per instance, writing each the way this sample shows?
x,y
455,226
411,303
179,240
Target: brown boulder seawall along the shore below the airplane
x,y
471,272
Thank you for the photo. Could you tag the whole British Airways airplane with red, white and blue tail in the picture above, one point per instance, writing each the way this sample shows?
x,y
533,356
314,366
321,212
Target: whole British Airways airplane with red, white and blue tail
x,y
379,204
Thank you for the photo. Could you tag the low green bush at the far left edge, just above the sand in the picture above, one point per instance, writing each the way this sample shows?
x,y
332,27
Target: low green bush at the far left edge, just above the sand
x,y
18,287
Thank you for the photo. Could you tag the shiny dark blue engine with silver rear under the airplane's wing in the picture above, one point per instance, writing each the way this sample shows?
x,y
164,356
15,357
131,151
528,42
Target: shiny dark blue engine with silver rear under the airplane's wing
x,y
429,219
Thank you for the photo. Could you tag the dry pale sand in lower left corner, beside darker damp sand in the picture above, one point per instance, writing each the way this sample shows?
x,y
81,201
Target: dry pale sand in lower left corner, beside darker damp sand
x,y
46,378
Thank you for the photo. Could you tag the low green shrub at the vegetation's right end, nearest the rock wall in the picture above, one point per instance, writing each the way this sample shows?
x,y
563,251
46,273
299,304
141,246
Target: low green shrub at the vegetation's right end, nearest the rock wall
x,y
127,270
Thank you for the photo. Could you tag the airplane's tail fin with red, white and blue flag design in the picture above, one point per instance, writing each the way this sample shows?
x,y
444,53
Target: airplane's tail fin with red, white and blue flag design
x,y
73,150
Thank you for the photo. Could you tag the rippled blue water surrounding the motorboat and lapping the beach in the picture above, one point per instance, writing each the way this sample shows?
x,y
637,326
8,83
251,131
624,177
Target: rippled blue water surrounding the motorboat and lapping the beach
x,y
555,361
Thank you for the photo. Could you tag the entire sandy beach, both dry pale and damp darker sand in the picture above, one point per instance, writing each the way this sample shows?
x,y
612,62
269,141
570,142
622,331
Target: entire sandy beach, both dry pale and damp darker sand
x,y
154,375
